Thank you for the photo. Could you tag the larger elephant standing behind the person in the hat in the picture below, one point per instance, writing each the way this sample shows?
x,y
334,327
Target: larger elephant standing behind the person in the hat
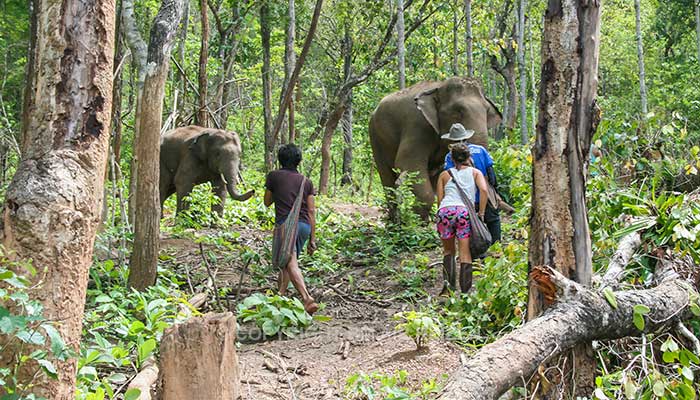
x,y
405,129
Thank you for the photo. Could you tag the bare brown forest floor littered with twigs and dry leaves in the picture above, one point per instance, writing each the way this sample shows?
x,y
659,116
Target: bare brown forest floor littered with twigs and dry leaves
x,y
359,337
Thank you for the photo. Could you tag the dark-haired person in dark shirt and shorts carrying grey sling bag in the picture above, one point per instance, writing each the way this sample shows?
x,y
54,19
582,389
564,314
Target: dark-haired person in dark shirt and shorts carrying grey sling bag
x,y
295,221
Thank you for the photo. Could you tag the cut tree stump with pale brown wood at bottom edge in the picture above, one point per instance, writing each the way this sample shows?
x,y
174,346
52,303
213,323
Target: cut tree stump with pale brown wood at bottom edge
x,y
199,361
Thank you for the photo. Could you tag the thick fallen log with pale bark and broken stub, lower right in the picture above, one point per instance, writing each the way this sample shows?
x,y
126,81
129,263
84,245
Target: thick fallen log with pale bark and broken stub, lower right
x,y
579,315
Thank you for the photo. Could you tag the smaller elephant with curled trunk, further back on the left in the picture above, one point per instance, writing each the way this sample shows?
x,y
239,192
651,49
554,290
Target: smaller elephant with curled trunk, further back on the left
x,y
192,155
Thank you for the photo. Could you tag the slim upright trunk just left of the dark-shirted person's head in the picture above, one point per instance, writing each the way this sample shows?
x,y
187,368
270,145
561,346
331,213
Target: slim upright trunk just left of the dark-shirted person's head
x,y
270,142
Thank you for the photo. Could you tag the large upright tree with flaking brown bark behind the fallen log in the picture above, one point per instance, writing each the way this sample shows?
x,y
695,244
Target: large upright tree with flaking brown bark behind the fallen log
x,y
568,118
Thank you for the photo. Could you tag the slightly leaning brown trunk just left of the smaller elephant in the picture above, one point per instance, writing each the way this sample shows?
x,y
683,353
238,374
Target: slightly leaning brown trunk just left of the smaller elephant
x,y
144,258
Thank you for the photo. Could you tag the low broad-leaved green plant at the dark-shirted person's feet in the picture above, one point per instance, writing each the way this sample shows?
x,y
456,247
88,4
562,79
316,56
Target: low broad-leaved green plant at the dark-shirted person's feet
x,y
275,314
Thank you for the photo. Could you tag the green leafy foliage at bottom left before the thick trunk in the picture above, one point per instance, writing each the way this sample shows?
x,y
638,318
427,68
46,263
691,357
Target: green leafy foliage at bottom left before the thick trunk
x,y
33,341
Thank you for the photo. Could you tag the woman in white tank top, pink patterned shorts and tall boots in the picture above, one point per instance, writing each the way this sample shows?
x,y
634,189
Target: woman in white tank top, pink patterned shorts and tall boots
x,y
453,217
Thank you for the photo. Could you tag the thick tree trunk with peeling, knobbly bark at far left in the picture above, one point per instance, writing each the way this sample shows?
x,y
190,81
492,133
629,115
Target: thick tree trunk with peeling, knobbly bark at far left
x,y
53,203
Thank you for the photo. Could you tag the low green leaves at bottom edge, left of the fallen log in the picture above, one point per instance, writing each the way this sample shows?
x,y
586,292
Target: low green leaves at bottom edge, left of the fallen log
x,y
377,386
